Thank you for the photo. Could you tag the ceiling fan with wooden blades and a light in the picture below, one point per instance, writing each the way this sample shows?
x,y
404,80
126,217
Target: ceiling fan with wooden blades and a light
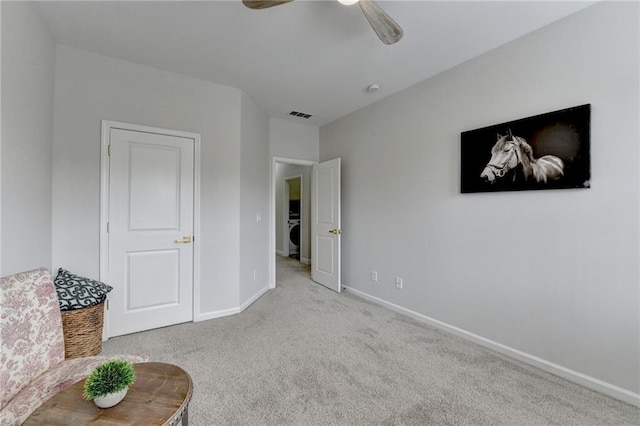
x,y
385,27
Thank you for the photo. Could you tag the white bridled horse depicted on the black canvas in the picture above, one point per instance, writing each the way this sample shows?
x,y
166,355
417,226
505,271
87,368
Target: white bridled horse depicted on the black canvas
x,y
513,156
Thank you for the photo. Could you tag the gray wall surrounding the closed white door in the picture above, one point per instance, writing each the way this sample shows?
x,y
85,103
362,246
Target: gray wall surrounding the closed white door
x,y
90,88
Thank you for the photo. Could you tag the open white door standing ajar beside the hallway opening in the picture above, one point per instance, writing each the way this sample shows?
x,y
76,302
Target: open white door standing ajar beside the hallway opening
x,y
325,224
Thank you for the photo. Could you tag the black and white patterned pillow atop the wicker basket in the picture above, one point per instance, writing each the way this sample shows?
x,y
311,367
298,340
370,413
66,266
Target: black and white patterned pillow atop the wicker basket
x,y
76,292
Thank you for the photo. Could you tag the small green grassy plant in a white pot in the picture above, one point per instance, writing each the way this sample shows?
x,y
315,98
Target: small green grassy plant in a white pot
x,y
108,383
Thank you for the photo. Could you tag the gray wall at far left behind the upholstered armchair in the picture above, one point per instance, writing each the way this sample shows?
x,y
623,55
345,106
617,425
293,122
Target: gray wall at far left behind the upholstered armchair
x,y
28,56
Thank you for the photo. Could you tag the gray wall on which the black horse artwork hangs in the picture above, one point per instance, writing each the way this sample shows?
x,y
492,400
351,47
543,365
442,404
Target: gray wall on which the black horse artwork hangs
x,y
553,274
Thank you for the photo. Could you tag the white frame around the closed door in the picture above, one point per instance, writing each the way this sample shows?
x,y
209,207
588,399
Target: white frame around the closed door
x,y
107,125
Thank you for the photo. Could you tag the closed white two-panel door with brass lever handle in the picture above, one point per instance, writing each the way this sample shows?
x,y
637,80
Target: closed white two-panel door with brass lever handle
x,y
150,262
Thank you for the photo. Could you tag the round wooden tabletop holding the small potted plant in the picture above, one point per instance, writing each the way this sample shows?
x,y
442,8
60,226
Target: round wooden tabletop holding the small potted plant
x,y
159,396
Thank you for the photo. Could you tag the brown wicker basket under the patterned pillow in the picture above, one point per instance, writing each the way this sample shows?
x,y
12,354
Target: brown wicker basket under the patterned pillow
x,y
82,329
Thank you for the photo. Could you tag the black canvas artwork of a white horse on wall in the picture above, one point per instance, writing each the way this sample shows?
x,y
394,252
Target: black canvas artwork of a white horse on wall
x,y
546,151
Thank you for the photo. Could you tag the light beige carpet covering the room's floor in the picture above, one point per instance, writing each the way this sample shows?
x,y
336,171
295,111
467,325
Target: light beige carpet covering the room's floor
x,y
304,355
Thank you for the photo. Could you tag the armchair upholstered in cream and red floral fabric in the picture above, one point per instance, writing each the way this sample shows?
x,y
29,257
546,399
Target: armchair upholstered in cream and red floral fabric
x,y
32,358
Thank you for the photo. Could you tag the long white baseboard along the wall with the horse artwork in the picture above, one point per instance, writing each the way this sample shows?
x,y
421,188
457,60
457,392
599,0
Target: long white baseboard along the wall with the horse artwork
x,y
566,373
